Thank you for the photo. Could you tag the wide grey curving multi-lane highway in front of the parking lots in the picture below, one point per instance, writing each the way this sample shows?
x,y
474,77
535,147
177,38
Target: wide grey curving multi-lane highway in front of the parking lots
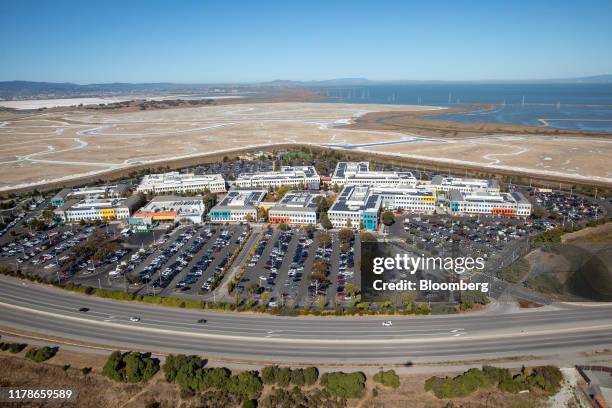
x,y
55,313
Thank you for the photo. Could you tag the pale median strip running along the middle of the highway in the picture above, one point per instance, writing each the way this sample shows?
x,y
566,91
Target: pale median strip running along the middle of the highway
x,y
298,340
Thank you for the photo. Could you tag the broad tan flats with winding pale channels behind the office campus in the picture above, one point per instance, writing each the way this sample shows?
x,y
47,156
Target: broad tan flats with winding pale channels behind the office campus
x,y
38,148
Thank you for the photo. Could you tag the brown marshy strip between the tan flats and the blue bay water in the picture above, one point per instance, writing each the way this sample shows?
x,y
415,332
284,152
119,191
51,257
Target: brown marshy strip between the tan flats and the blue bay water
x,y
417,122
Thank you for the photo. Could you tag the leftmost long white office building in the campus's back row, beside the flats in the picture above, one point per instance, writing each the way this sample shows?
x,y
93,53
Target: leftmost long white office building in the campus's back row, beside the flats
x,y
176,182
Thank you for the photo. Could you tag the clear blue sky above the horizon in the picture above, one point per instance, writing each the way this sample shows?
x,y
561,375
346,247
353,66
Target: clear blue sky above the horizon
x,y
234,41
